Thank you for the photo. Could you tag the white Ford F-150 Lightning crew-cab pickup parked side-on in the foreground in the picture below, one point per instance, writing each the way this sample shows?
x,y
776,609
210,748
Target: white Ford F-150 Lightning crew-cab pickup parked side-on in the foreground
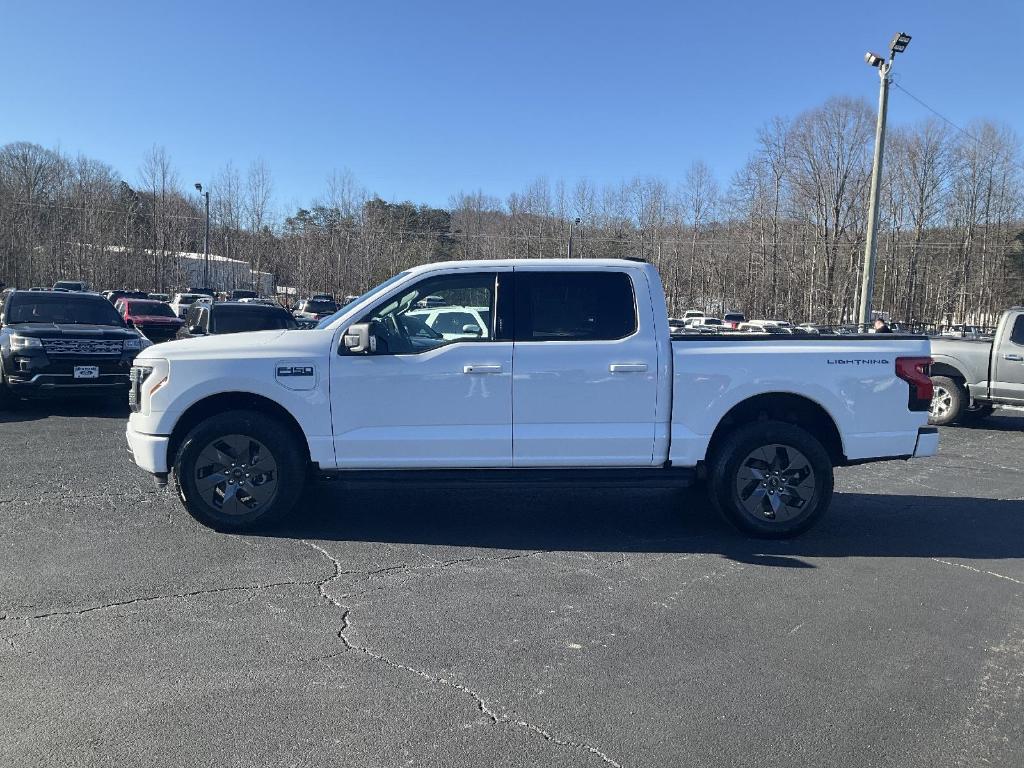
x,y
577,379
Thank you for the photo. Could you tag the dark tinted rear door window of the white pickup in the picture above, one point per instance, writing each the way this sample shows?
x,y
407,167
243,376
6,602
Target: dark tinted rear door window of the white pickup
x,y
574,307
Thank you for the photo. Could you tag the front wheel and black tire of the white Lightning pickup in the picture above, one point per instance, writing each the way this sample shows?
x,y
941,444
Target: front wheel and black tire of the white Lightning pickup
x,y
264,483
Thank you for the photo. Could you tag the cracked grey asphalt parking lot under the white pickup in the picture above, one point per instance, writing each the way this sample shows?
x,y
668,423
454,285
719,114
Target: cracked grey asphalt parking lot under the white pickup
x,y
517,628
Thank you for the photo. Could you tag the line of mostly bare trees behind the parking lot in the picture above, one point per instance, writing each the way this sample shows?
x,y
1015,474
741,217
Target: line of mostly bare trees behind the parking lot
x,y
784,238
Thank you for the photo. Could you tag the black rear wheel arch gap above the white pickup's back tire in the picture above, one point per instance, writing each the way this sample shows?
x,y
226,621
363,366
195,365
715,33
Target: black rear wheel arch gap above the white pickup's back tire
x,y
786,407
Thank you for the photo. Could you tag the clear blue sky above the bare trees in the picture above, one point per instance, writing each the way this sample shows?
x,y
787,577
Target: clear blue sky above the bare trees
x,y
421,101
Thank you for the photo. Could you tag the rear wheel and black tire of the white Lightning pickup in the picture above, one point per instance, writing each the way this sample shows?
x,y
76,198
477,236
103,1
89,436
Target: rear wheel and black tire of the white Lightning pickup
x,y
765,492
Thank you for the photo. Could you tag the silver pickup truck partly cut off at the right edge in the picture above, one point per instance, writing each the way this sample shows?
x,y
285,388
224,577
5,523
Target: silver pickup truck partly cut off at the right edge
x,y
971,377
